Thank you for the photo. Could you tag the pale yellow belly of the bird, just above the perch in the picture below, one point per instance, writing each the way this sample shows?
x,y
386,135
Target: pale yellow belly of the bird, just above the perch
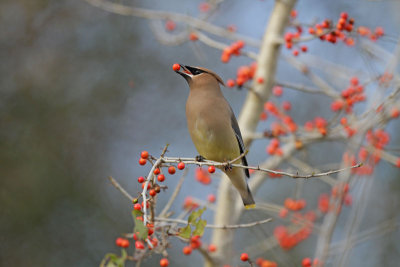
x,y
214,145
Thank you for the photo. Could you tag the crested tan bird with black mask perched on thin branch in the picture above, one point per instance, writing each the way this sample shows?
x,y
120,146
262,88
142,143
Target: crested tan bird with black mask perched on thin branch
x,y
213,126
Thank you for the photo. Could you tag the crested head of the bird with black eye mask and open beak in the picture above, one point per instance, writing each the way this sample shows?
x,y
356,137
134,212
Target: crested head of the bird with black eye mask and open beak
x,y
198,75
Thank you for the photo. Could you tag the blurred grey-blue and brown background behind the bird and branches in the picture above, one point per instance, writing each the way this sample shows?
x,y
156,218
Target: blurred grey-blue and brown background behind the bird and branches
x,y
83,91
